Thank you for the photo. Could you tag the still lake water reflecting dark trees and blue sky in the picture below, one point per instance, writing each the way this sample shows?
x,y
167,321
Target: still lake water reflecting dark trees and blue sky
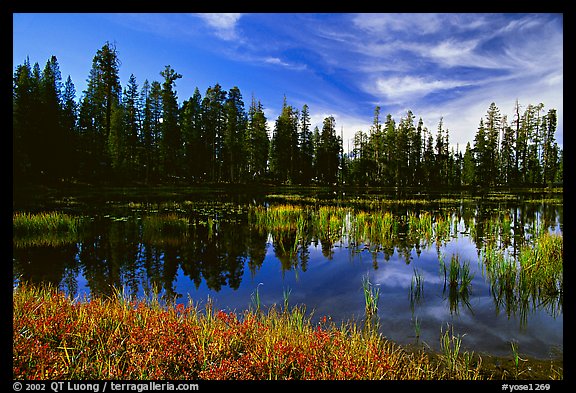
x,y
222,254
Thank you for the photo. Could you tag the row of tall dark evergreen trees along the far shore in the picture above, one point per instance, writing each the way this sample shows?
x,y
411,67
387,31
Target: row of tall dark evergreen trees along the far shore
x,y
142,135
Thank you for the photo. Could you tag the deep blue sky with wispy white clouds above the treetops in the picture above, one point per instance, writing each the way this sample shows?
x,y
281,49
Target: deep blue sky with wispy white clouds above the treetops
x,y
437,65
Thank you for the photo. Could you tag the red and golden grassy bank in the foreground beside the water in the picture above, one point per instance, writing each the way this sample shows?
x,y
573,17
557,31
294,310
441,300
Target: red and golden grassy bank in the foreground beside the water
x,y
56,337
